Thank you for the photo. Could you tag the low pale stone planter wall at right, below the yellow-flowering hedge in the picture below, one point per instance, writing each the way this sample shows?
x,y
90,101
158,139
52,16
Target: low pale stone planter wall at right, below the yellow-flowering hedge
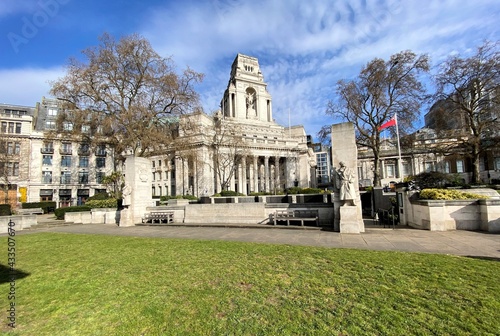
x,y
436,215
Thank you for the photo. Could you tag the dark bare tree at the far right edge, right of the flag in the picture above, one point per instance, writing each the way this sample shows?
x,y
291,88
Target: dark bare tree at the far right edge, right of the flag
x,y
468,93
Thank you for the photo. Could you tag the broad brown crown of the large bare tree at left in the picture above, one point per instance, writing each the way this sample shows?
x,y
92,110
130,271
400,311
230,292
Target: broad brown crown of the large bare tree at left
x,y
125,94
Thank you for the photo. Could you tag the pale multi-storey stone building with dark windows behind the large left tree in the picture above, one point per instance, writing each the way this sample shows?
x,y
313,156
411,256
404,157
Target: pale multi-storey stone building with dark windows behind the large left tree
x,y
63,170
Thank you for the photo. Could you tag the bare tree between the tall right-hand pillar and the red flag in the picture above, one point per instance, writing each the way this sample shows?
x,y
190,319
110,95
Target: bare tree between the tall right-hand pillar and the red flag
x,y
382,89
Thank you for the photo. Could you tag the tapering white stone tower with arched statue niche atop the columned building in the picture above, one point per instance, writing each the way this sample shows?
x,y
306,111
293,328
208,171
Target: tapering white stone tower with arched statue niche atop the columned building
x,y
246,96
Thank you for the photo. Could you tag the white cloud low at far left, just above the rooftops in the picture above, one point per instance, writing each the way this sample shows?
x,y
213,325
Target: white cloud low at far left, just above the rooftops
x,y
26,86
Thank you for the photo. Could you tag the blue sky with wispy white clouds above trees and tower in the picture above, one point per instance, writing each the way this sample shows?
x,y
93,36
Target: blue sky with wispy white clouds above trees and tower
x,y
303,47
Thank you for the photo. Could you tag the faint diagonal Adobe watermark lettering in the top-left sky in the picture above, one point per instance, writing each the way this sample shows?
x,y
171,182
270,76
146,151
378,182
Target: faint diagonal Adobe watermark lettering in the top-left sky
x,y
31,25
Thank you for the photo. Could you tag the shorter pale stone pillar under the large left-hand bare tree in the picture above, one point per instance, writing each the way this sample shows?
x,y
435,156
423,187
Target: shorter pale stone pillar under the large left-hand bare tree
x,y
137,191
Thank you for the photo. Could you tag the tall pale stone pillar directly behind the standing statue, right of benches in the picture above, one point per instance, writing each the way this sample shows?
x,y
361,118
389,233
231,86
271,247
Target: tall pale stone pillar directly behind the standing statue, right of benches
x,y
348,216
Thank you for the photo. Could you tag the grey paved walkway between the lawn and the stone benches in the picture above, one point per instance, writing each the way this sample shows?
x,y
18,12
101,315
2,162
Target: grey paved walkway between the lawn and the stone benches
x,y
464,243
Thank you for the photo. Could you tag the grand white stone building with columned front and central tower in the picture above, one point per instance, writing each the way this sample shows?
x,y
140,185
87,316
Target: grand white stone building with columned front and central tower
x,y
239,148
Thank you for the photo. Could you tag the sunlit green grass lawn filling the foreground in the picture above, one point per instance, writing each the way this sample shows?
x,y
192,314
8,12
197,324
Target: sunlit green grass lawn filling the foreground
x,y
106,285
